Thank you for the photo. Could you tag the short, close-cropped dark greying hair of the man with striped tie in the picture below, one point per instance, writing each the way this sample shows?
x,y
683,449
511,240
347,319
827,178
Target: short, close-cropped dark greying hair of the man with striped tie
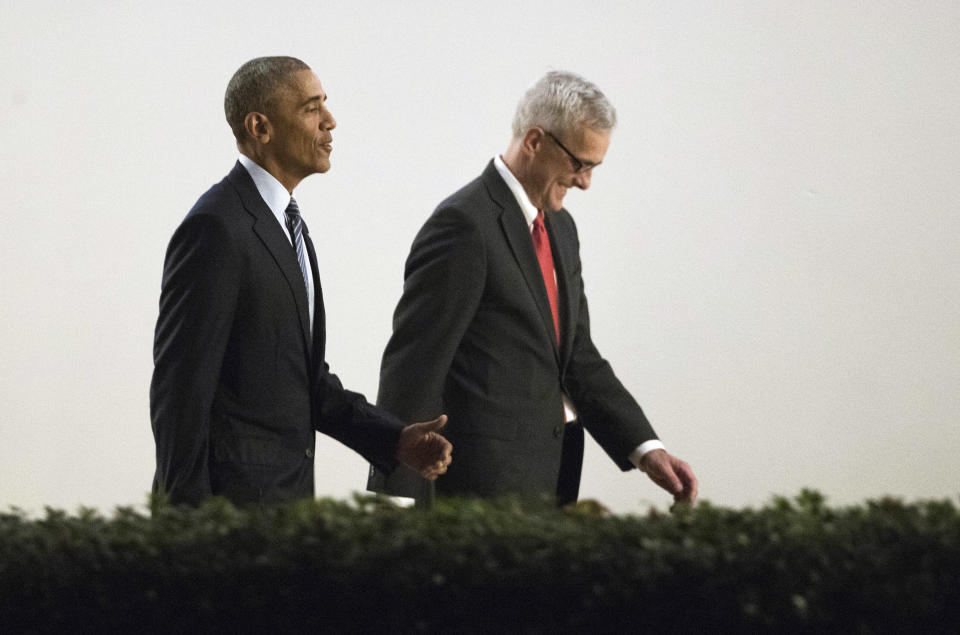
x,y
253,87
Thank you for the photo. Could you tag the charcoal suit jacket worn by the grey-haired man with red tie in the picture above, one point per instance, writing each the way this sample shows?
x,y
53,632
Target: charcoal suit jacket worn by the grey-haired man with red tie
x,y
473,337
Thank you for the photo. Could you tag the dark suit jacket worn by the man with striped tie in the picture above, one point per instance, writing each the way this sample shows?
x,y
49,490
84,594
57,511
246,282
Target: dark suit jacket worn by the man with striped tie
x,y
239,382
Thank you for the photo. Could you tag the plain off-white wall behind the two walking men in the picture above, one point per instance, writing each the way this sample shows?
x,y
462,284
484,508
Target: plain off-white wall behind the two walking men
x,y
771,247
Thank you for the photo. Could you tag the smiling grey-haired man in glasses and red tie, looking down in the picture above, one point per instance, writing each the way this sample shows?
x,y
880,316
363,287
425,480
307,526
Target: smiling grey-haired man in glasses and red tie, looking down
x,y
493,329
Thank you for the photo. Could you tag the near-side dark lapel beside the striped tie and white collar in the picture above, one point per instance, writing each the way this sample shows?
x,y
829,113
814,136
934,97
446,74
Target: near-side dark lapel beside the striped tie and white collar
x,y
274,238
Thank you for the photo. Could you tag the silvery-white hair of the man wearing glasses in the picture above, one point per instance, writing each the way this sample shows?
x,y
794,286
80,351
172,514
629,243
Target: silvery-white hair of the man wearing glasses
x,y
559,102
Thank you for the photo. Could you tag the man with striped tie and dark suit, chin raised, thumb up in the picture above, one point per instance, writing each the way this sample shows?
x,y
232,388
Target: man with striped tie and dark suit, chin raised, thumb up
x,y
240,383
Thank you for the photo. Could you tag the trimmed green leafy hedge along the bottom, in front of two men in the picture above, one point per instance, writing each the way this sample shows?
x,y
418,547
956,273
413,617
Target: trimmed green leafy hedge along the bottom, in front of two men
x,y
471,566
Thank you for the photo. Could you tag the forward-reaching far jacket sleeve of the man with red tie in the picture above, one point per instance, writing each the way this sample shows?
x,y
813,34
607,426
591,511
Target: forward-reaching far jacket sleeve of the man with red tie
x,y
604,406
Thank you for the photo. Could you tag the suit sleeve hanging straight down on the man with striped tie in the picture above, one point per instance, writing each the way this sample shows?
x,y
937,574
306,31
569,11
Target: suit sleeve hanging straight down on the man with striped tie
x,y
197,305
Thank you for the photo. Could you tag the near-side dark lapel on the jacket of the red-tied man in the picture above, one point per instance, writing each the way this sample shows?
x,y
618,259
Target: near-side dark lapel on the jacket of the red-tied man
x,y
515,228
